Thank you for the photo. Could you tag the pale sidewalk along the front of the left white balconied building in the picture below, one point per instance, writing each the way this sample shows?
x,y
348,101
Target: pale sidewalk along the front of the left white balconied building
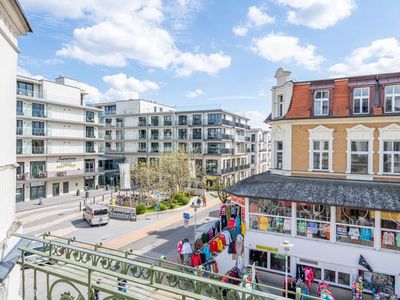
x,y
34,204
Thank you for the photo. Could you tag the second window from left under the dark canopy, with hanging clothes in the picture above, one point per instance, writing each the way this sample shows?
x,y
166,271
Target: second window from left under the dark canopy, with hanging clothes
x,y
313,221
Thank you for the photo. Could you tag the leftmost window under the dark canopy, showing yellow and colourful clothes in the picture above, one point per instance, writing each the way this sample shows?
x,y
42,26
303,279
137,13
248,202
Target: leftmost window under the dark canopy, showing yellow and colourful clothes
x,y
270,215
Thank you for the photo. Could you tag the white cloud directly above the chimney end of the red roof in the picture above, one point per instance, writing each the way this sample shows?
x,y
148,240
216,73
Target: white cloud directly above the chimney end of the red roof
x,y
285,48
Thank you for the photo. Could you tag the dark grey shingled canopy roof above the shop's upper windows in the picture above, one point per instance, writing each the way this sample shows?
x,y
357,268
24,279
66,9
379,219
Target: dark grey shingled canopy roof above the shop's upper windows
x,y
383,196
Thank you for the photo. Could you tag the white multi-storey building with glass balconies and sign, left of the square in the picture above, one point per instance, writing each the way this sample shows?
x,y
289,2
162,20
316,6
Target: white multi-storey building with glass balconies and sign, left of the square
x,y
58,139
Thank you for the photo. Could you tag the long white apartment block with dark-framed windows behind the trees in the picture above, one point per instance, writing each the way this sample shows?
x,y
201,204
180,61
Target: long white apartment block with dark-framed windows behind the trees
x,y
139,130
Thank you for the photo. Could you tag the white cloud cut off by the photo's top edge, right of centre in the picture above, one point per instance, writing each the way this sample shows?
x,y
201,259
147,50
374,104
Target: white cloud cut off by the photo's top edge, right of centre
x,y
318,14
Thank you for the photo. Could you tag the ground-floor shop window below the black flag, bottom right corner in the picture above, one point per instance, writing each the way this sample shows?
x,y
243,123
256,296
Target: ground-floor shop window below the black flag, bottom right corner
x,y
378,283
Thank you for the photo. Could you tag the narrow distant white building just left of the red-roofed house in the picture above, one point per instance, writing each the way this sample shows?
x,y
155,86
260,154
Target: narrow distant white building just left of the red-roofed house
x,y
260,150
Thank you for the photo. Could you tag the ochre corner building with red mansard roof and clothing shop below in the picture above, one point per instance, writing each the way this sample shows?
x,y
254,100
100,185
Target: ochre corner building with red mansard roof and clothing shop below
x,y
334,185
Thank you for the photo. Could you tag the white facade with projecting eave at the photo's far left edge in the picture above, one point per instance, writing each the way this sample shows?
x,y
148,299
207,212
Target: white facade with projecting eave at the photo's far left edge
x,y
13,23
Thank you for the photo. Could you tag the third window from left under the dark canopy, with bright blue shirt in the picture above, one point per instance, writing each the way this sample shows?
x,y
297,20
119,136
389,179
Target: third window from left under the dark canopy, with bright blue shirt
x,y
355,226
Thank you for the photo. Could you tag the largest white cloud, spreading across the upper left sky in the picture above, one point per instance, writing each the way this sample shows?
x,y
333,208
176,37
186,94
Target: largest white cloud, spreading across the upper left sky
x,y
121,31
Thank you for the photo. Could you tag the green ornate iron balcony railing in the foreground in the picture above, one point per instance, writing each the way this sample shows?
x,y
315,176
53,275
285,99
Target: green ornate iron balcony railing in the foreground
x,y
74,270
